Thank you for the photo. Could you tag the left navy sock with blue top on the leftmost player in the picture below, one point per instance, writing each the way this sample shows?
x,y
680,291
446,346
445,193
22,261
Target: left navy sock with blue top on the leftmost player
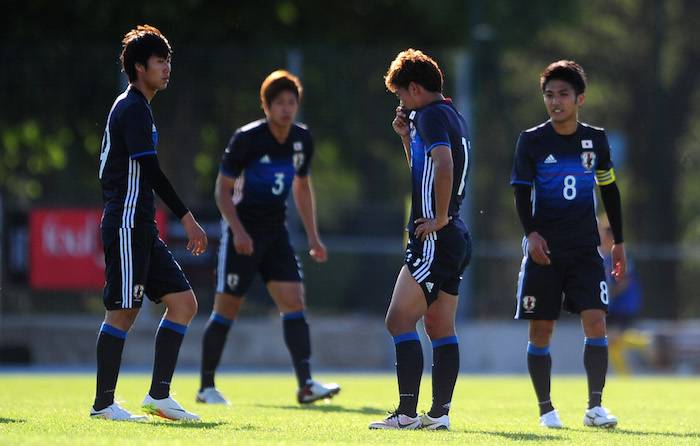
x,y
109,348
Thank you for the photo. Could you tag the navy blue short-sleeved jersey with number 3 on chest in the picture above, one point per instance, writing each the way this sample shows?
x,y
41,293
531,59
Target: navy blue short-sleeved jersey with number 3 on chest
x,y
264,171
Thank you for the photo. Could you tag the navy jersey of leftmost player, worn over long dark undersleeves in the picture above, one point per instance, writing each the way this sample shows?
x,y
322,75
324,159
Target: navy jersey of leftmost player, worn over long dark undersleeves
x,y
129,200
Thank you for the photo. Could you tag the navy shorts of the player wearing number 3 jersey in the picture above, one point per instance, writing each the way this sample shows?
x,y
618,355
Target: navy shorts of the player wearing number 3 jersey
x,y
273,257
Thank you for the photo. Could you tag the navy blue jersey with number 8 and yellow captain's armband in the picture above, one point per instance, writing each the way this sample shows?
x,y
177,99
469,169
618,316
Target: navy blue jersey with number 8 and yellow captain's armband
x,y
563,171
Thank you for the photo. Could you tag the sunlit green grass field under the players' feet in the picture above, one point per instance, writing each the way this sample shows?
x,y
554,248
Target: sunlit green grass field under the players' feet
x,y
40,409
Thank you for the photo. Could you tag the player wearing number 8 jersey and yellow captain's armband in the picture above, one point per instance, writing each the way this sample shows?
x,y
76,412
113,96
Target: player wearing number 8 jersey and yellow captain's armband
x,y
556,167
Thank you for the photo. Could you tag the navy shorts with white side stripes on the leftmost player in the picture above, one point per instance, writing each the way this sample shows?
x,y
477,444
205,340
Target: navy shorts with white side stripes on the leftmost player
x,y
138,264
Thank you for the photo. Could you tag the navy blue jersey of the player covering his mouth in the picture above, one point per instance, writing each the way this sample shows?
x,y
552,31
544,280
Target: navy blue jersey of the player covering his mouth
x,y
437,124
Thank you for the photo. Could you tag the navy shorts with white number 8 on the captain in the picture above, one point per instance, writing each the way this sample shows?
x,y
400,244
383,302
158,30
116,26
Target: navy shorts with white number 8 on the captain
x,y
574,282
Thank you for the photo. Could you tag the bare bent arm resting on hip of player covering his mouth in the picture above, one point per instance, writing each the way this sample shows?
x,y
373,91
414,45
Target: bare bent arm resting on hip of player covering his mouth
x,y
442,159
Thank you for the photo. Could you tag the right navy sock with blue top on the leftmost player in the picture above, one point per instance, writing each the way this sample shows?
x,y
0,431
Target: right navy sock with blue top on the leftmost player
x,y
168,341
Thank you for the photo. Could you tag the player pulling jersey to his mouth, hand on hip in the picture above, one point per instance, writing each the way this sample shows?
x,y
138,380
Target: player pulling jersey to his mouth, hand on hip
x,y
436,143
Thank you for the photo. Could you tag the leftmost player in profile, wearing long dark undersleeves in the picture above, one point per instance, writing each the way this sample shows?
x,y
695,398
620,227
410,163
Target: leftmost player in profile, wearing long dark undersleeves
x,y
137,262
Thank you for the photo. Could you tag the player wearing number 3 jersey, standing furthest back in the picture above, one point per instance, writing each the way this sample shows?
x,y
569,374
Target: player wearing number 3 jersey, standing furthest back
x,y
264,160
